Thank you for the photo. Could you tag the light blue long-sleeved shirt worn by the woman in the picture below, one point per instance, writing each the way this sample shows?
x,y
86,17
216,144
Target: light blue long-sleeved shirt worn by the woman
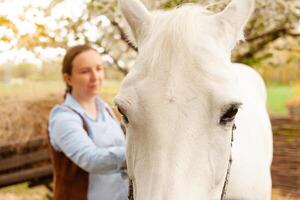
x,y
100,153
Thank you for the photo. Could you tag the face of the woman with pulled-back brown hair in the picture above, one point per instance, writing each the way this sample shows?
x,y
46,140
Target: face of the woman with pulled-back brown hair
x,y
87,74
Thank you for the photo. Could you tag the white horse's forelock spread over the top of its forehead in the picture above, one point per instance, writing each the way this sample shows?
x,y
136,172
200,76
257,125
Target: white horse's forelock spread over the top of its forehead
x,y
178,37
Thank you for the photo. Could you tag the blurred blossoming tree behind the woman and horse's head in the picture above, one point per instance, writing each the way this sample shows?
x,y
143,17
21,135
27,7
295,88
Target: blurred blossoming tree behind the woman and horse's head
x,y
272,21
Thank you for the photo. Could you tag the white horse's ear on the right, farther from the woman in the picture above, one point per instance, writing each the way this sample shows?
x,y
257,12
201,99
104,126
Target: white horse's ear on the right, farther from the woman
x,y
234,18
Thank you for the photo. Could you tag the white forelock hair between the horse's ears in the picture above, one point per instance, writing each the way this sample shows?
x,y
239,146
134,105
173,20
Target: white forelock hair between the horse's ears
x,y
175,32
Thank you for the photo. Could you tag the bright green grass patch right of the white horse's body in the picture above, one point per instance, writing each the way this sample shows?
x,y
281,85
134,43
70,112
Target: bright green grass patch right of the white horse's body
x,y
277,97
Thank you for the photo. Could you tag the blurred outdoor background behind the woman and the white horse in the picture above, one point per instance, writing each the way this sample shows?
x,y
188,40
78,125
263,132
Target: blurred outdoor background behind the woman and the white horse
x,y
34,35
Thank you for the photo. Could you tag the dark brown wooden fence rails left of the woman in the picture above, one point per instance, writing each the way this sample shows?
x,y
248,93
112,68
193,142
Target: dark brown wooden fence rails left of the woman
x,y
25,162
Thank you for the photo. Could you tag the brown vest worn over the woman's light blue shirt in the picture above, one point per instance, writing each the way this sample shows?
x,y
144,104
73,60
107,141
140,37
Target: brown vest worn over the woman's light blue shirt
x,y
70,181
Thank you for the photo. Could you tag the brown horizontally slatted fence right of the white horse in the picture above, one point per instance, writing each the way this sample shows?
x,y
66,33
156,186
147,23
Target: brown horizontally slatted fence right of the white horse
x,y
286,157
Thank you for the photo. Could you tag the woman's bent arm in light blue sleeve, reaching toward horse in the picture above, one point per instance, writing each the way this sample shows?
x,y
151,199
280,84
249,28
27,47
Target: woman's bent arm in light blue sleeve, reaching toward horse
x,y
67,133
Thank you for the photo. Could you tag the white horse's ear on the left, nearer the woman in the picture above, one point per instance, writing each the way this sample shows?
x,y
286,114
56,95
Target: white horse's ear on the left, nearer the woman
x,y
137,16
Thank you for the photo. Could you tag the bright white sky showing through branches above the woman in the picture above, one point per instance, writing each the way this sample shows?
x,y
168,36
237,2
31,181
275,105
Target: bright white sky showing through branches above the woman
x,y
13,8
